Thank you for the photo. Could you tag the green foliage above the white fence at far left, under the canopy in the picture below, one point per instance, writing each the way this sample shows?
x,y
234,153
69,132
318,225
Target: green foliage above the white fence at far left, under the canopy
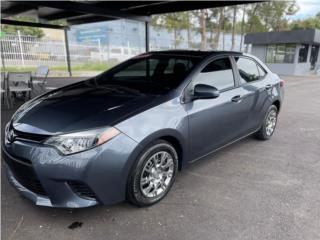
x,y
29,31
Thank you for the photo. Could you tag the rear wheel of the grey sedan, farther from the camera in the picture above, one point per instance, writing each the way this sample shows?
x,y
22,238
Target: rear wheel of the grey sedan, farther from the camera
x,y
269,124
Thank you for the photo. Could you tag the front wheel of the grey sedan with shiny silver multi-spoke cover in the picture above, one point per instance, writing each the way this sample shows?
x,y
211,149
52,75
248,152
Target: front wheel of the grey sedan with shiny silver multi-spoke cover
x,y
153,175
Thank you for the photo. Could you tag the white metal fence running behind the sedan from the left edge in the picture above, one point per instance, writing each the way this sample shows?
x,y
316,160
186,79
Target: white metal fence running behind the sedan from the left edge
x,y
25,51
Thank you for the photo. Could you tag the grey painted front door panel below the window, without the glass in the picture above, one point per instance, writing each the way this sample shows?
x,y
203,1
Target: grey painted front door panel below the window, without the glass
x,y
215,122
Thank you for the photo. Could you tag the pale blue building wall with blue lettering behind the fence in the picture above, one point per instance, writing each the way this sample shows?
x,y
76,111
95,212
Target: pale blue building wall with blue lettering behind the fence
x,y
121,33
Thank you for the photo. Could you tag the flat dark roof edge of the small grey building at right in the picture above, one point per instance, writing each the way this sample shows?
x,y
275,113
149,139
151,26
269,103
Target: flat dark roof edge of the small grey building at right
x,y
297,36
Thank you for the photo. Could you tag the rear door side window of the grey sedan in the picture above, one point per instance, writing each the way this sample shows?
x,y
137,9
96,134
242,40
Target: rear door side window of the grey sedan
x,y
248,69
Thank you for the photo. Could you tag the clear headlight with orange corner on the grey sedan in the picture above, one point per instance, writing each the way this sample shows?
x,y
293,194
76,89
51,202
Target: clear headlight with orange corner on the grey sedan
x,y
81,141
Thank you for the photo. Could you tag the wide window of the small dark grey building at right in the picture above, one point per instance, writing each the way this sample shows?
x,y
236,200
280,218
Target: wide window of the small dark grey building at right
x,y
280,53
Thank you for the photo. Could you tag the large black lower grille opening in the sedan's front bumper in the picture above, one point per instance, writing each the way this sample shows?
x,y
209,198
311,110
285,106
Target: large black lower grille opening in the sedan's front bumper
x,y
25,175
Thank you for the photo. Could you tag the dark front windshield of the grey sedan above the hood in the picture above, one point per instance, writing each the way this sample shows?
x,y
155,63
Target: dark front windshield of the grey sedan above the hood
x,y
151,73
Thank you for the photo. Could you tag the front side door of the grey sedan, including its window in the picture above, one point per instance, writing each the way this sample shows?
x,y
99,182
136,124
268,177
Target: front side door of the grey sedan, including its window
x,y
215,122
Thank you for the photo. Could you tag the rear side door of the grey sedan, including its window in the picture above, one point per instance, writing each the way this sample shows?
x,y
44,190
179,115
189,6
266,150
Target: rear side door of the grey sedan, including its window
x,y
257,90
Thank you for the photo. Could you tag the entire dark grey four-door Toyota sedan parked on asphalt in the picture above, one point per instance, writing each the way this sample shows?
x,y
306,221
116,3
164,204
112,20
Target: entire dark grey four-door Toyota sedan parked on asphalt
x,y
125,133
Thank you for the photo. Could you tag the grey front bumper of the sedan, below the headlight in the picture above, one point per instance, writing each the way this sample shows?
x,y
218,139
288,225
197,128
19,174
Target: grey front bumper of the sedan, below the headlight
x,y
47,178
